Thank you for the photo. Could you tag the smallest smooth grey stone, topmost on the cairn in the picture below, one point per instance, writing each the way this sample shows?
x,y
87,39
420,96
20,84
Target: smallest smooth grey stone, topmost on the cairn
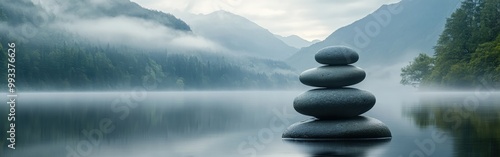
x,y
336,55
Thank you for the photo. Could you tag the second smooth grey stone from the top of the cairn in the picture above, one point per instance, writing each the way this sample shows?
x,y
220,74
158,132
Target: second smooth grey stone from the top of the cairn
x,y
332,76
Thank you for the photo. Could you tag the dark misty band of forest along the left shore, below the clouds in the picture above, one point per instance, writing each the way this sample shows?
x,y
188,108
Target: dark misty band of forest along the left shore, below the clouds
x,y
79,67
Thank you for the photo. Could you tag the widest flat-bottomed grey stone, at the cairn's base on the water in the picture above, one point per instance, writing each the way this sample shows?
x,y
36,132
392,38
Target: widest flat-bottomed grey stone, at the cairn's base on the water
x,y
356,128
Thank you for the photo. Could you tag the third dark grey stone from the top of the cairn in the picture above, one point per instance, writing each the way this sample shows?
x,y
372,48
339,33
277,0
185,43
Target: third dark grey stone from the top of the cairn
x,y
334,103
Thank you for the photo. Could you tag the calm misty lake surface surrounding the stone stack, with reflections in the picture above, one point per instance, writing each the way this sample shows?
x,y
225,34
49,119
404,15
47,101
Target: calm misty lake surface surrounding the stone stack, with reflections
x,y
241,123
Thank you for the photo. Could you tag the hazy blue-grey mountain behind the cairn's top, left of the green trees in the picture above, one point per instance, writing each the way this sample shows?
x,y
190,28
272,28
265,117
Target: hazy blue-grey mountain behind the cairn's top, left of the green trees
x,y
393,33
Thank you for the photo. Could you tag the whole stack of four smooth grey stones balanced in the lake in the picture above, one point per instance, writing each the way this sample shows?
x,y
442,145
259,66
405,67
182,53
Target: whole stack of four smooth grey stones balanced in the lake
x,y
336,107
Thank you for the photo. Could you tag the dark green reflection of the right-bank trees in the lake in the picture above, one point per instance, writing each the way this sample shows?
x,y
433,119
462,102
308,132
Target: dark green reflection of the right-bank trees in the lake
x,y
474,125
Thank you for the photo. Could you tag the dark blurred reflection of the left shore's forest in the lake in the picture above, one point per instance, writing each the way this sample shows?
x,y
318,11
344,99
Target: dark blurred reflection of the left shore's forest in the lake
x,y
170,119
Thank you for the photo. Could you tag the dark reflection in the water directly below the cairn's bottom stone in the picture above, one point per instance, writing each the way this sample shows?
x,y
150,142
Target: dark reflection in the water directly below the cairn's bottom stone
x,y
339,148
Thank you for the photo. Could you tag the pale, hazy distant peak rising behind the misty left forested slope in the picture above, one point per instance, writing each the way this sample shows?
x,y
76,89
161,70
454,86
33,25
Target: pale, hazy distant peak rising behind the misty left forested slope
x,y
238,34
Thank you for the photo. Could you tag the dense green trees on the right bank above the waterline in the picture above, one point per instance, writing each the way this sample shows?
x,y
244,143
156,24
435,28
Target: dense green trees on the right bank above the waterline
x,y
466,54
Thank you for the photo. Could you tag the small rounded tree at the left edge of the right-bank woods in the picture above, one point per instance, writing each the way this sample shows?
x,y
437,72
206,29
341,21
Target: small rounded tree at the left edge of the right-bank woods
x,y
413,73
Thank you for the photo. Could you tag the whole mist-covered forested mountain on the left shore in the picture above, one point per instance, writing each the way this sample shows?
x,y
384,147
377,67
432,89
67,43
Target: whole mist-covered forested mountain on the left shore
x,y
97,45
